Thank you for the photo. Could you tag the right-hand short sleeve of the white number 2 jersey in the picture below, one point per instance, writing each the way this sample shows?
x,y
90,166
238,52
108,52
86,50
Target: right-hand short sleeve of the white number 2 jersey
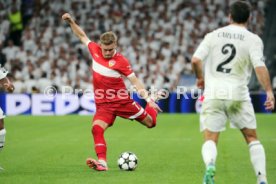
x,y
256,53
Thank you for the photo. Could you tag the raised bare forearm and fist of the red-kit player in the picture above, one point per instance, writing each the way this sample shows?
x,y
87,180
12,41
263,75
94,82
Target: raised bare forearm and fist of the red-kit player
x,y
76,28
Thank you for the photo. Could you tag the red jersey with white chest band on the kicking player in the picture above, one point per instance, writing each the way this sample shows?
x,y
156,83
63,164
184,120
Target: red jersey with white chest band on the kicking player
x,y
107,75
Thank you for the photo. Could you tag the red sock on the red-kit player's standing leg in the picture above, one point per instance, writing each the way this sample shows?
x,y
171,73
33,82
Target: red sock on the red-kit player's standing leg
x,y
99,142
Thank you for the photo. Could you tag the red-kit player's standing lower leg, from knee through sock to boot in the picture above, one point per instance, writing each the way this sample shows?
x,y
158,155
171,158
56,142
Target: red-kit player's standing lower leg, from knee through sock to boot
x,y
98,129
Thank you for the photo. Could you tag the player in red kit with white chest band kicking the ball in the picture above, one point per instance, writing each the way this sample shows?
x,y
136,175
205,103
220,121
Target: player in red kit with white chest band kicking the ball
x,y
108,68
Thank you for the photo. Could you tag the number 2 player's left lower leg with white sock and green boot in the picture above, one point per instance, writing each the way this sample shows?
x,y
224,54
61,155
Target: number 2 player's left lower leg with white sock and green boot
x,y
209,154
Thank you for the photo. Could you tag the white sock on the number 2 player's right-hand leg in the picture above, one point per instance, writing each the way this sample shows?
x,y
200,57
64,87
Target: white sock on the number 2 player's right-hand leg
x,y
257,156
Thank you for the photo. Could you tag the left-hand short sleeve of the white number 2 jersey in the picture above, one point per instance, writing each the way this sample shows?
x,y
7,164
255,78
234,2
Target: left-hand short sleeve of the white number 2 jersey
x,y
204,47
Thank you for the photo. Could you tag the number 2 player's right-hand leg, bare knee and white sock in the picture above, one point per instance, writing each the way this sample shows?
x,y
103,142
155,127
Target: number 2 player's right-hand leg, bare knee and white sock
x,y
257,154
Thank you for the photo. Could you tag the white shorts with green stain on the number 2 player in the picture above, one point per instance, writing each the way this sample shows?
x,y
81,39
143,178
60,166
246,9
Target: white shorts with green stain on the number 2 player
x,y
215,114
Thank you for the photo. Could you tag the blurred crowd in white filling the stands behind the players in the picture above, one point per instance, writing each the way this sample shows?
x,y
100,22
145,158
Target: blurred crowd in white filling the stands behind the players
x,y
158,38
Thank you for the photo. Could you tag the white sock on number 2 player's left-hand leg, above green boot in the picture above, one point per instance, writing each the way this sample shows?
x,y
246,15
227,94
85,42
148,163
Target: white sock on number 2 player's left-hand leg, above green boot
x,y
209,152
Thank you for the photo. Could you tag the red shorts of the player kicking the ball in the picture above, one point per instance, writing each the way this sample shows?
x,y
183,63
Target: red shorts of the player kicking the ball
x,y
128,109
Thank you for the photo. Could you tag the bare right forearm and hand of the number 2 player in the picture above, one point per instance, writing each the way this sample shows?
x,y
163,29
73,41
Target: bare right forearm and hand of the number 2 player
x,y
264,79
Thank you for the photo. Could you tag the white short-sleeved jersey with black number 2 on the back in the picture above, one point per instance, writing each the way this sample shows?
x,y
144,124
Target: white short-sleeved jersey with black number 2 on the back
x,y
229,54
